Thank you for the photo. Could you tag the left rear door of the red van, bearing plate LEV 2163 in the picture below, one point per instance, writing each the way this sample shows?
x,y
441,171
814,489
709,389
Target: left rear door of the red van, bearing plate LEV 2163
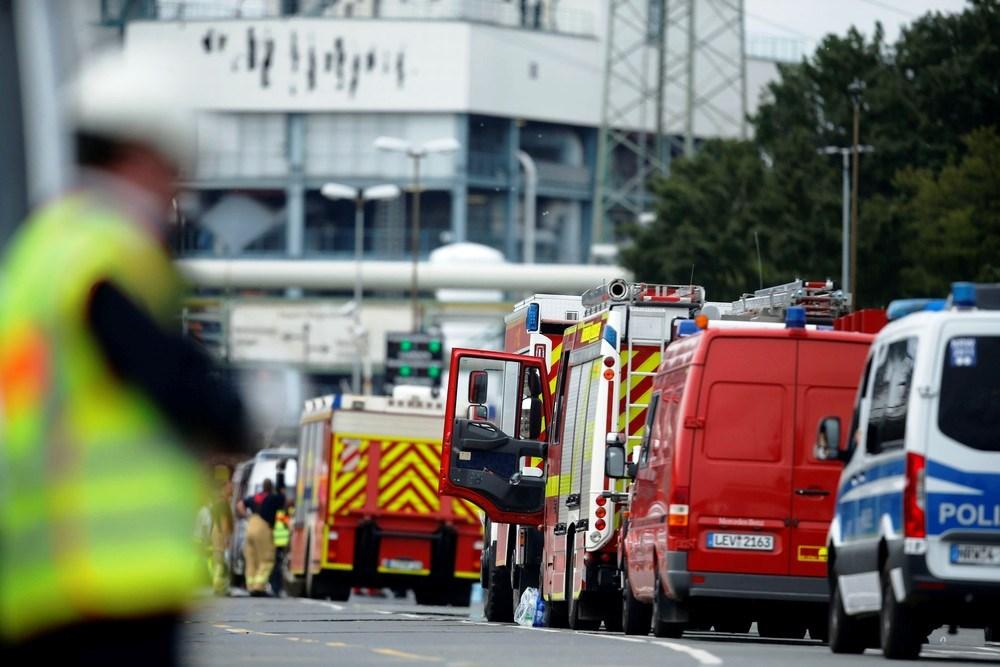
x,y
742,460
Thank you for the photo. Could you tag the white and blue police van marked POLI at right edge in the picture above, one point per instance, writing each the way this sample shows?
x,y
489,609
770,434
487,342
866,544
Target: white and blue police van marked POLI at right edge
x,y
915,539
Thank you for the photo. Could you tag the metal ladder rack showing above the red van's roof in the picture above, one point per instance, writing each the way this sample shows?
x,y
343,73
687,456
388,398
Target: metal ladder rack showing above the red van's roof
x,y
822,303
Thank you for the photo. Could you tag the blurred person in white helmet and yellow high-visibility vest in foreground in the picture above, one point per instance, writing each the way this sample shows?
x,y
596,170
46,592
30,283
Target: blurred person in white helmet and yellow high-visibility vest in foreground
x,y
104,402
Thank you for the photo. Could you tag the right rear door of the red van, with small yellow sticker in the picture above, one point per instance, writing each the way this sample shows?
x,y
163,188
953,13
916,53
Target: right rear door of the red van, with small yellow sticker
x,y
826,383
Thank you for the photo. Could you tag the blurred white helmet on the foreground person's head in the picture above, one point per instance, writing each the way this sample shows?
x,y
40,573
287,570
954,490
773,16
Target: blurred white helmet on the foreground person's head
x,y
137,97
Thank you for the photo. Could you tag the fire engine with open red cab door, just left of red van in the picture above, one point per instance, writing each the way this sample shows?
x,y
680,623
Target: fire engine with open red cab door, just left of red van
x,y
497,406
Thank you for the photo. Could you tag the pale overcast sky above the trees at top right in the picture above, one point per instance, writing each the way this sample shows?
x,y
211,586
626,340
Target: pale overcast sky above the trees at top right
x,y
809,20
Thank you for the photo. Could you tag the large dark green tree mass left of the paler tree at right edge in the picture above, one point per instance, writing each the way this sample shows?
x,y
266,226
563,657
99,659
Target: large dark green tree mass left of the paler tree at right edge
x,y
936,84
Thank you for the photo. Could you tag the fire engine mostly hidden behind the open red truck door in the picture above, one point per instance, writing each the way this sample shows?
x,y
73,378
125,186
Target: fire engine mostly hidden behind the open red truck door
x,y
512,555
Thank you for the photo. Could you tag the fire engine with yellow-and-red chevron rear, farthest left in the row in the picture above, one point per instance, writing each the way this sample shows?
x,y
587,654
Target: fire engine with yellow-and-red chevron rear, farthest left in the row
x,y
367,513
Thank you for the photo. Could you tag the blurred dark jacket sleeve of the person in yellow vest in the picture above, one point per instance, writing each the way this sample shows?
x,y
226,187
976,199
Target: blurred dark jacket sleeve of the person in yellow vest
x,y
178,376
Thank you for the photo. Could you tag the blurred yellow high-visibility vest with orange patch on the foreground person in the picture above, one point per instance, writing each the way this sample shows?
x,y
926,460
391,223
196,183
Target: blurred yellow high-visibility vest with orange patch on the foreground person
x,y
97,493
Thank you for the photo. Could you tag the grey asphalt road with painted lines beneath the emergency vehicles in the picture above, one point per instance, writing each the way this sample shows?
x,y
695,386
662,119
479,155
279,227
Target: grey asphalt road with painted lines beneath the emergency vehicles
x,y
366,631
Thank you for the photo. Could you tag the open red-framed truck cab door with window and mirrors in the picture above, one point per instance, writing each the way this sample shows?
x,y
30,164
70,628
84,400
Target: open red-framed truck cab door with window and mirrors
x,y
496,410
